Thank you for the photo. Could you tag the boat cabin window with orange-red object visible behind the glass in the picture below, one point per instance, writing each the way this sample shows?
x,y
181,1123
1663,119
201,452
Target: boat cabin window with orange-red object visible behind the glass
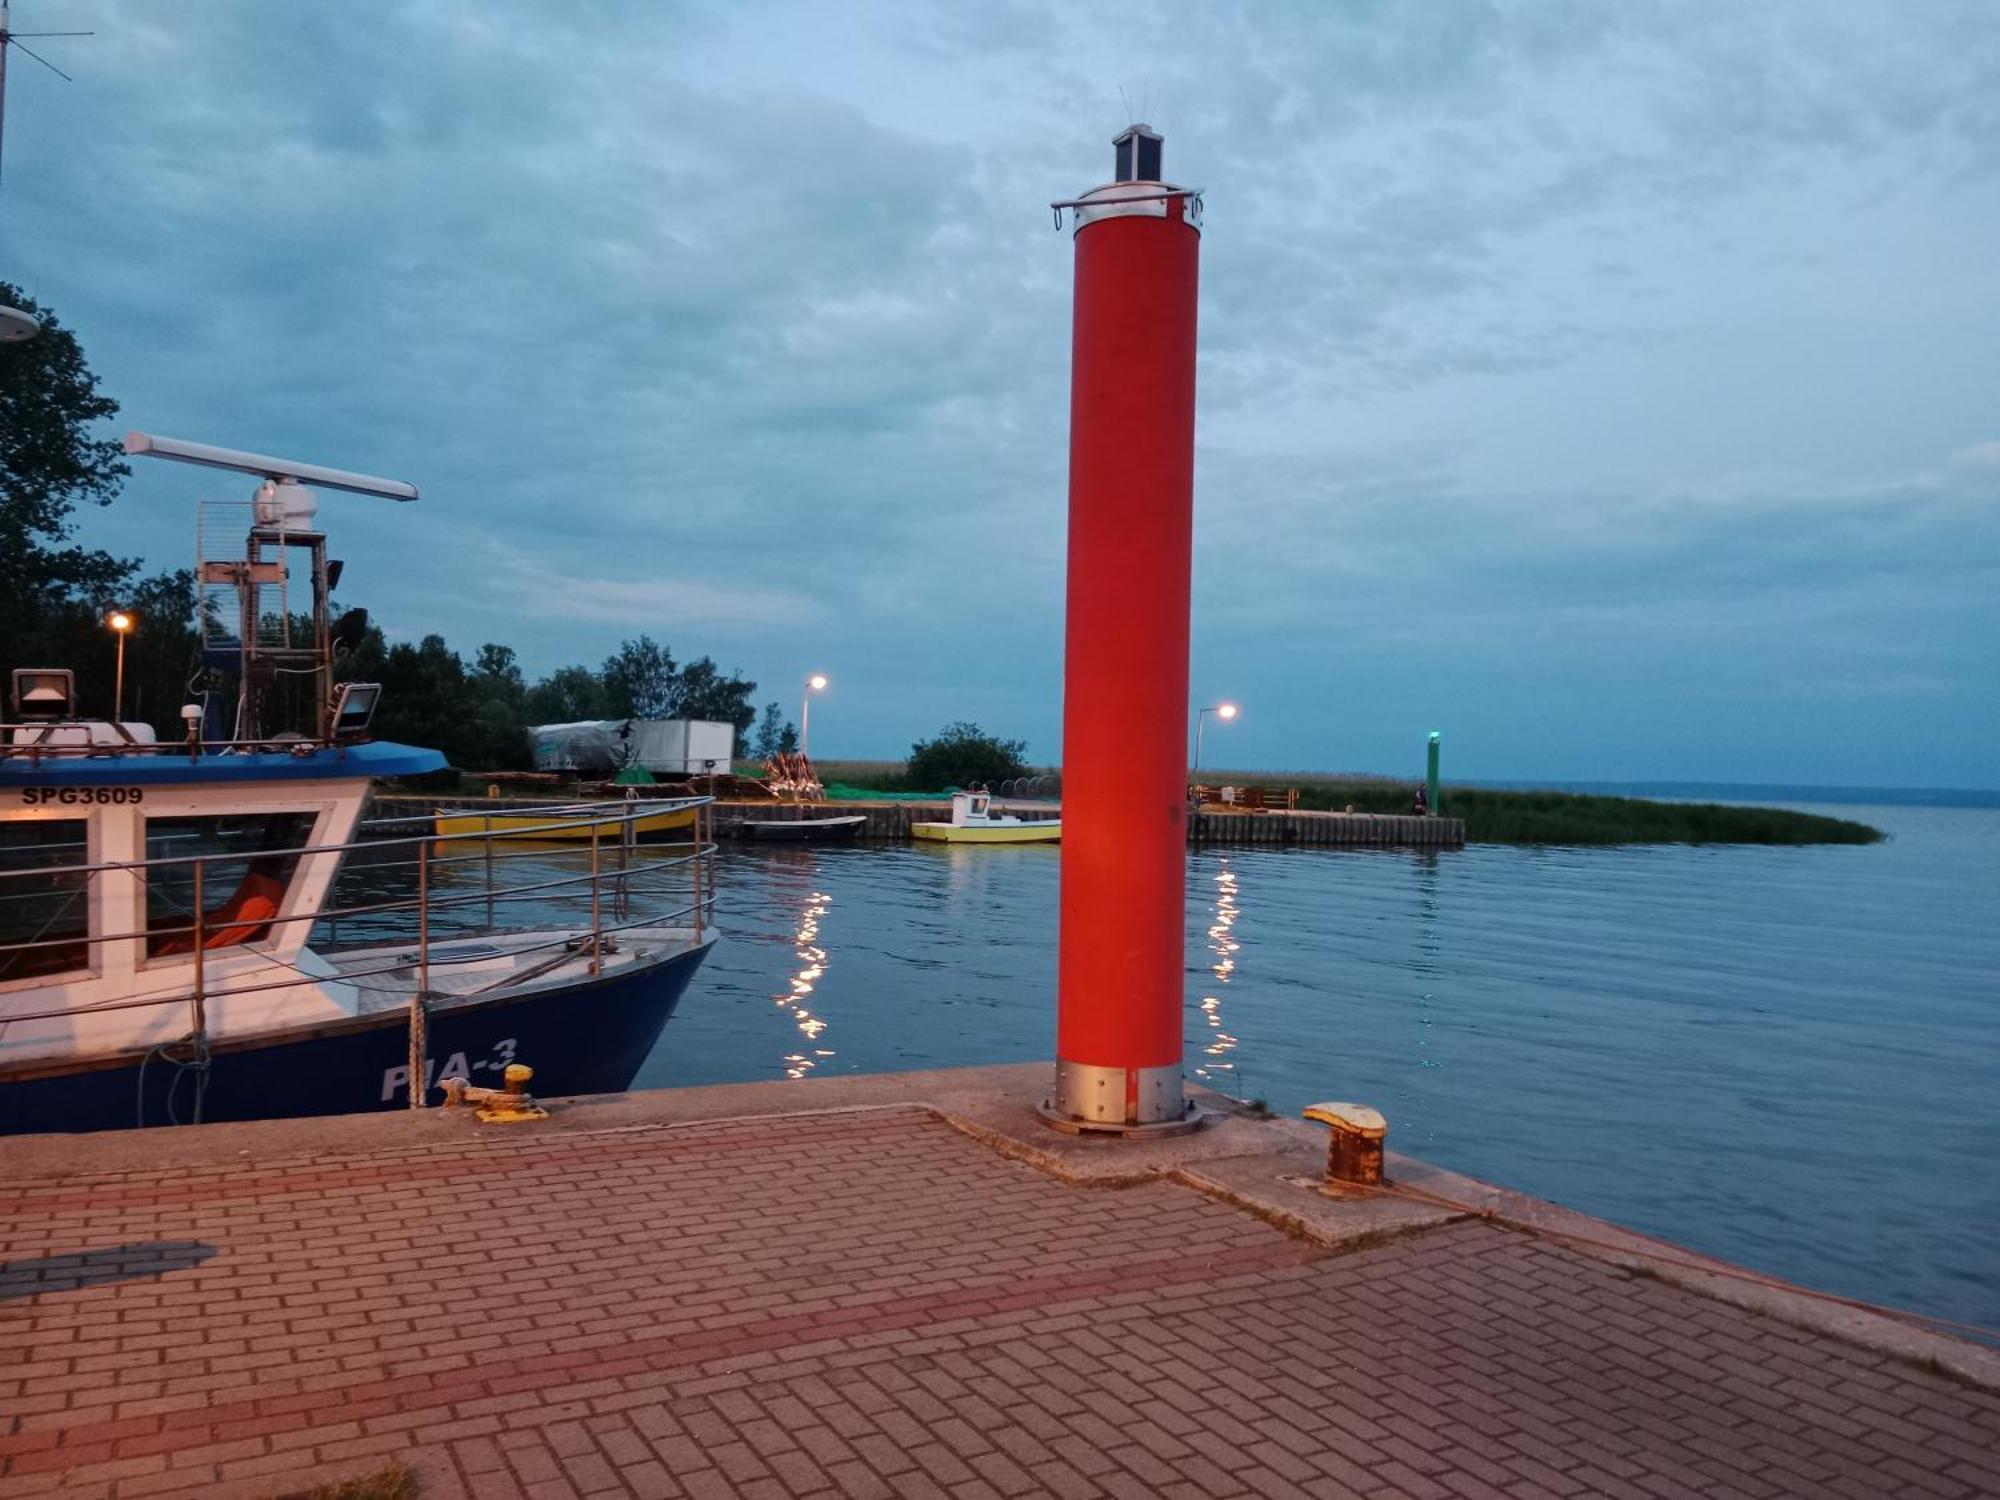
x,y
243,877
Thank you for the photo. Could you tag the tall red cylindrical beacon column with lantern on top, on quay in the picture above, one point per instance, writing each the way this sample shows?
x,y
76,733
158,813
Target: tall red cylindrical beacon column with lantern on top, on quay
x,y
1125,723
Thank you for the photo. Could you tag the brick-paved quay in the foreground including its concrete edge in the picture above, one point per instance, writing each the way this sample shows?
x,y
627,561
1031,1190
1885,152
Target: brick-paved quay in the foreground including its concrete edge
x,y
897,1287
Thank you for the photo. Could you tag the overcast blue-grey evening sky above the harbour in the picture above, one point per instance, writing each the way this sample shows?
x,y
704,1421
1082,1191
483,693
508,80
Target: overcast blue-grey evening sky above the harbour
x,y
1615,387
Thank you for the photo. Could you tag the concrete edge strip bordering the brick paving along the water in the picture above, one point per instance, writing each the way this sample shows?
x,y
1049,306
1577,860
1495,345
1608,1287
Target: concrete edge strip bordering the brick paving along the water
x,y
1263,1165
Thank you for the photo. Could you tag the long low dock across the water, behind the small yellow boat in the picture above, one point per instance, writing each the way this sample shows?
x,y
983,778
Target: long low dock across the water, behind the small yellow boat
x,y
889,821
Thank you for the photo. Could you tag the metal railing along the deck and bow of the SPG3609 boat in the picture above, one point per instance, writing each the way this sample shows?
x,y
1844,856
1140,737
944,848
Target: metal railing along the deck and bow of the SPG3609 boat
x,y
619,889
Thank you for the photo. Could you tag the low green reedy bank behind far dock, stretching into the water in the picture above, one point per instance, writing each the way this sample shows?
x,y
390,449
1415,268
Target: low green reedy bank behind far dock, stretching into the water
x,y
1499,817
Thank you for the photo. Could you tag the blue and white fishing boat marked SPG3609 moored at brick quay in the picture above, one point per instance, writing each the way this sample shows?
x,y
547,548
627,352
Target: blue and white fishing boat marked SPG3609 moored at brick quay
x,y
171,913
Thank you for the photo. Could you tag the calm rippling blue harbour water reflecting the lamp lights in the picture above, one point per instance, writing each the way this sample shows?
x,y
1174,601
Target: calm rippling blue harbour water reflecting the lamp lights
x,y
1789,1059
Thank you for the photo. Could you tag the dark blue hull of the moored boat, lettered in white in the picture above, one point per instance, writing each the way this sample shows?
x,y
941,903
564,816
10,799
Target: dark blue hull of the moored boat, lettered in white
x,y
581,1041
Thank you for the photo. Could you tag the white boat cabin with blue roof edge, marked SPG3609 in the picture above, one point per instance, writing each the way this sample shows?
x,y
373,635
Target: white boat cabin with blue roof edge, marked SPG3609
x,y
131,873
